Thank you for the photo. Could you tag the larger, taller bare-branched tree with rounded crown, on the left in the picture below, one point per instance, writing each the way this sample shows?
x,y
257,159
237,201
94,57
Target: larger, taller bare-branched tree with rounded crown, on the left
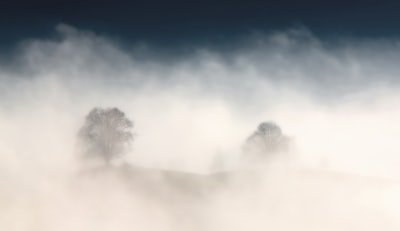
x,y
106,133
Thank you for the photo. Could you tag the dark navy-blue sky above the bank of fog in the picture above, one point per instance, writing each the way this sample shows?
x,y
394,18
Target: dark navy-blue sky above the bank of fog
x,y
180,21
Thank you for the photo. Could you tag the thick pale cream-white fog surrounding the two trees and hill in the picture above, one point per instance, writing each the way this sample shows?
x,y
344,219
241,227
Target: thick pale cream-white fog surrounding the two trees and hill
x,y
337,100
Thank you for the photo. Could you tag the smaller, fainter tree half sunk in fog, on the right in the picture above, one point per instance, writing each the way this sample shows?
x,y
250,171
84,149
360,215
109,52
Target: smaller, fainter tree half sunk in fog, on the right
x,y
267,139
